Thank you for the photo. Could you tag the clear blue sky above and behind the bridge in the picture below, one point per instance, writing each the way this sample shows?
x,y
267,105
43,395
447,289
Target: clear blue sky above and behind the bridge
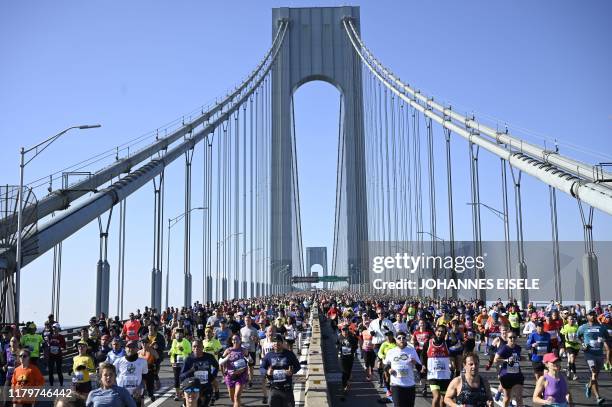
x,y
133,66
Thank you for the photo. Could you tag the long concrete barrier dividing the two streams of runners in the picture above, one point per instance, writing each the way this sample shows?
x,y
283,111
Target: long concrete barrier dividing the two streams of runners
x,y
316,394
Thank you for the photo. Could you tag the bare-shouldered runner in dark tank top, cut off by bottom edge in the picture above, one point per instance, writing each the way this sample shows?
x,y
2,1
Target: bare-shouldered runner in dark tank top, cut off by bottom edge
x,y
470,389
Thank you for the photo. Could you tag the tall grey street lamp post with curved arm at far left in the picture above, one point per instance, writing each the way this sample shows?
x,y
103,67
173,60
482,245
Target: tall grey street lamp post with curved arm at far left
x,y
38,148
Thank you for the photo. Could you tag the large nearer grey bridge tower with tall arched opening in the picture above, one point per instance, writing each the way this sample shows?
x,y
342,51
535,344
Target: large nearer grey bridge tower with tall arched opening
x,y
317,48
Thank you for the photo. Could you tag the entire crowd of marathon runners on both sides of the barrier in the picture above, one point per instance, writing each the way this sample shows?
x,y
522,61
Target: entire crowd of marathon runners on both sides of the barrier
x,y
408,346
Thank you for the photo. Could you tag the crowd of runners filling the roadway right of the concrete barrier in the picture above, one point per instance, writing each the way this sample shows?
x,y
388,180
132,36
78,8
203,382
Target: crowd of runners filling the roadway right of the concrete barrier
x,y
415,346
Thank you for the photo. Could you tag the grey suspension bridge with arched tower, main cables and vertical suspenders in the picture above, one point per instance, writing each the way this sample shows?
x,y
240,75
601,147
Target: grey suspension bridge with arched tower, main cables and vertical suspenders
x,y
396,174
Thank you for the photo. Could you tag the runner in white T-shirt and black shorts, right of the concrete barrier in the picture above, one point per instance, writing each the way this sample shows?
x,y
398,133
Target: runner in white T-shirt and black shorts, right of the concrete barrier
x,y
402,361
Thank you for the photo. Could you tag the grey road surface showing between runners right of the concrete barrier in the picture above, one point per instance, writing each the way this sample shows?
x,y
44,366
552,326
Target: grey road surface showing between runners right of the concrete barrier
x,y
363,393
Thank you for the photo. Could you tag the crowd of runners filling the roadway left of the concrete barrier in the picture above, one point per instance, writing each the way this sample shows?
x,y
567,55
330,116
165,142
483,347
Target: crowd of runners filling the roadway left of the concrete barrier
x,y
118,362
